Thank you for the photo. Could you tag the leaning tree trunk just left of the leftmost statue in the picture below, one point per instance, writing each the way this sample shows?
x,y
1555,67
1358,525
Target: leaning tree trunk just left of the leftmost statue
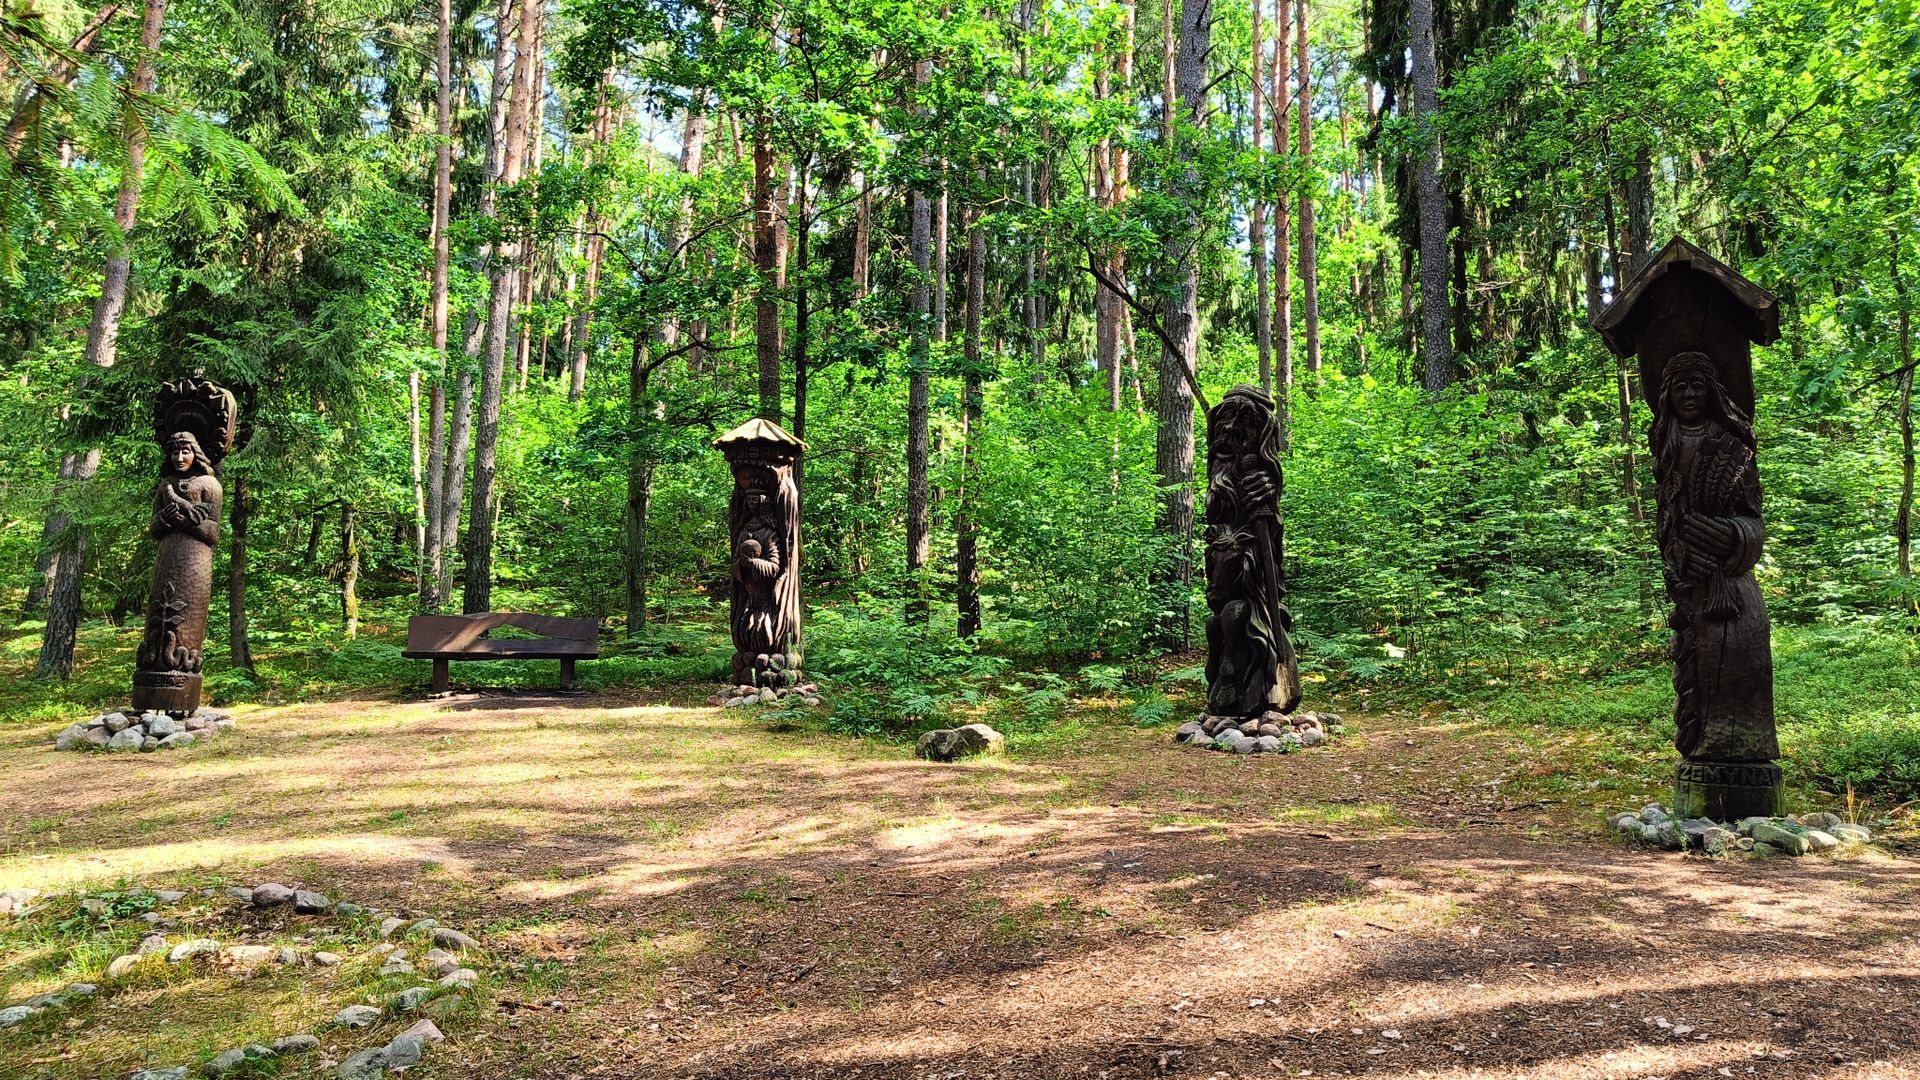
x,y
103,345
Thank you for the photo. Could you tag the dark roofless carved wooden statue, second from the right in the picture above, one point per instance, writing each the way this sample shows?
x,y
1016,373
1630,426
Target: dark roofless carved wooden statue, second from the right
x,y
1251,662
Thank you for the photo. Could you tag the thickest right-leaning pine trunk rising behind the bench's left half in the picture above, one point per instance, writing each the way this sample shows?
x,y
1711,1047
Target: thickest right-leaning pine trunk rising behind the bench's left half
x,y
479,593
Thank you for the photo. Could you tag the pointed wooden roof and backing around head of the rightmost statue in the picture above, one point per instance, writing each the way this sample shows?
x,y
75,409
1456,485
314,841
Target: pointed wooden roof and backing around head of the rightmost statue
x,y
1687,301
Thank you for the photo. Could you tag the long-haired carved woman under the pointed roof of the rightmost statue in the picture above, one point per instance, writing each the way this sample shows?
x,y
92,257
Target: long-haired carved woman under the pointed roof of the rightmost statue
x,y
1710,535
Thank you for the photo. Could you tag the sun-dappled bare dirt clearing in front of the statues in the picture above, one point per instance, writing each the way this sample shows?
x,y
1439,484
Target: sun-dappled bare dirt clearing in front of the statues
x,y
681,893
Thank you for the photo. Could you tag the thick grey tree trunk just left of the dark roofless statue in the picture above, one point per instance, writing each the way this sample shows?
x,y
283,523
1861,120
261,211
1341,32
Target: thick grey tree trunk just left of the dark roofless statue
x,y
1174,449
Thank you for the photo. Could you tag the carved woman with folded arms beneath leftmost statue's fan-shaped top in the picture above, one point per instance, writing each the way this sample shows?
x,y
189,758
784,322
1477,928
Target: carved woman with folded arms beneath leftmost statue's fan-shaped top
x,y
187,524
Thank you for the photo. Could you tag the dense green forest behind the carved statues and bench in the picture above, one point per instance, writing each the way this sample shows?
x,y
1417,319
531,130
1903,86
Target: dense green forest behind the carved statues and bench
x,y
489,282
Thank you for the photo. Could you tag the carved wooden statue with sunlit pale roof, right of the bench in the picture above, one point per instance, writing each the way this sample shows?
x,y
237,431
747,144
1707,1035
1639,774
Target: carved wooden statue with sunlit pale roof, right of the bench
x,y
765,529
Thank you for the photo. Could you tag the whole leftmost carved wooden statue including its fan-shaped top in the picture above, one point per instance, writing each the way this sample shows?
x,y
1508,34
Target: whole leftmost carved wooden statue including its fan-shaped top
x,y
195,426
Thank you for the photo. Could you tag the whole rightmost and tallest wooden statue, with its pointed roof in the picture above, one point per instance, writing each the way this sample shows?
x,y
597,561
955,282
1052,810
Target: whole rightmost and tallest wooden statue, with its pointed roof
x,y
1692,324
